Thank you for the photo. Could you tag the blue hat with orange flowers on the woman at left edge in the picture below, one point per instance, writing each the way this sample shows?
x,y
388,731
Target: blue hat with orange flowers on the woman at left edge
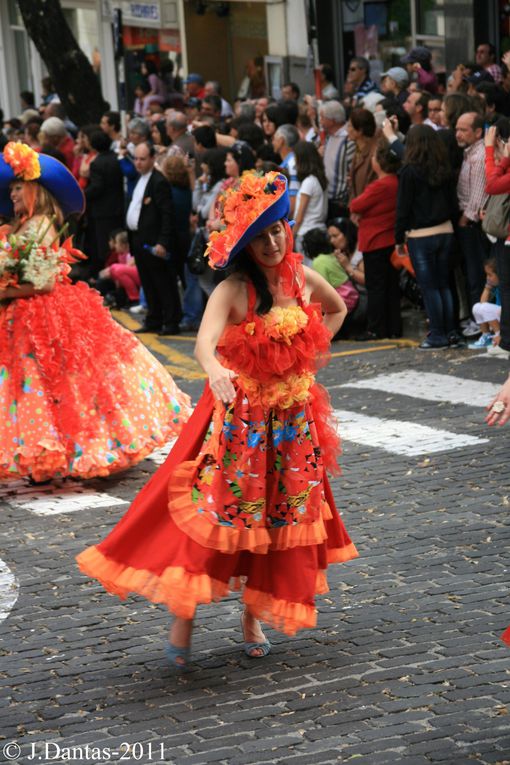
x,y
20,162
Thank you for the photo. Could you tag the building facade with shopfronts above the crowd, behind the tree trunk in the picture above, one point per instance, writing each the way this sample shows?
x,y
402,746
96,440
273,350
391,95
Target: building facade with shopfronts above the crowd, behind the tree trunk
x,y
230,41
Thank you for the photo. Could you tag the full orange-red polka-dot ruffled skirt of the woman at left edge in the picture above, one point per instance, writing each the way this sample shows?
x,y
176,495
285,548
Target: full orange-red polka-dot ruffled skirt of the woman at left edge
x,y
79,395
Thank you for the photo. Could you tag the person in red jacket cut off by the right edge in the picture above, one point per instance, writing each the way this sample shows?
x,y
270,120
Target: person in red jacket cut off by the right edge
x,y
498,182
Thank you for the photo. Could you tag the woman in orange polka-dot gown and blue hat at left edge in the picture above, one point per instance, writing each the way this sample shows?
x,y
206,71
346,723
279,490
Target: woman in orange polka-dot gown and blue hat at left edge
x,y
79,395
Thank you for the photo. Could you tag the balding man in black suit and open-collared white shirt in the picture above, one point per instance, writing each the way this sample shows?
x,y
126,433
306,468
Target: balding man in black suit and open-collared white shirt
x,y
151,226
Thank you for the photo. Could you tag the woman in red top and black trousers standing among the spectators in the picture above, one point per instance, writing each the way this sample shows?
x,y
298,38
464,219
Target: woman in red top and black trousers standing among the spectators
x,y
375,212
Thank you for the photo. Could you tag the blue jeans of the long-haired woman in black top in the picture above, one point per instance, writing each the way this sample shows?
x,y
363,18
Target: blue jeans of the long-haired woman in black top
x,y
430,259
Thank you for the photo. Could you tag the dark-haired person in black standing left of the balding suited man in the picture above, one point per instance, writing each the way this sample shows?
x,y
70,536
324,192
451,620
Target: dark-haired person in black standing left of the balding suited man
x,y
105,201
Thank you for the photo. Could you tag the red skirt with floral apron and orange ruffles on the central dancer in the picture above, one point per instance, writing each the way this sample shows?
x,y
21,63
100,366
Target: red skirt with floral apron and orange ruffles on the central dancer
x,y
233,507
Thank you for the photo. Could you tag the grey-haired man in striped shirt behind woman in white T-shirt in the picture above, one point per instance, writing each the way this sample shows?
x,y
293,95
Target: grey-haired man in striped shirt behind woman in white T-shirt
x,y
338,155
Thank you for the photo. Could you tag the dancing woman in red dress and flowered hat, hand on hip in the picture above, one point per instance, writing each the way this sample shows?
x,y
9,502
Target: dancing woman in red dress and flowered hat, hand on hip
x,y
243,501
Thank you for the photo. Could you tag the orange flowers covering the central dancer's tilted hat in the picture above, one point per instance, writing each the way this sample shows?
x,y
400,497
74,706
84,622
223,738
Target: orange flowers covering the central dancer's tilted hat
x,y
242,205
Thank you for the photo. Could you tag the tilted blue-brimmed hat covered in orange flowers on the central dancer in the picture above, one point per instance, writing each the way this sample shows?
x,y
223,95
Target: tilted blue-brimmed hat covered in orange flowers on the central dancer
x,y
254,203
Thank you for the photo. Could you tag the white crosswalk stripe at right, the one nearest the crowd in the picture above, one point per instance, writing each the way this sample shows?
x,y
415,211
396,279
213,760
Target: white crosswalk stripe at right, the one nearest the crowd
x,y
429,386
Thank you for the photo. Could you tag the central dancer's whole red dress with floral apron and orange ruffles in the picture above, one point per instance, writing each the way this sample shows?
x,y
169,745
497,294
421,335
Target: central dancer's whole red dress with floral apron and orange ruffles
x,y
243,500
